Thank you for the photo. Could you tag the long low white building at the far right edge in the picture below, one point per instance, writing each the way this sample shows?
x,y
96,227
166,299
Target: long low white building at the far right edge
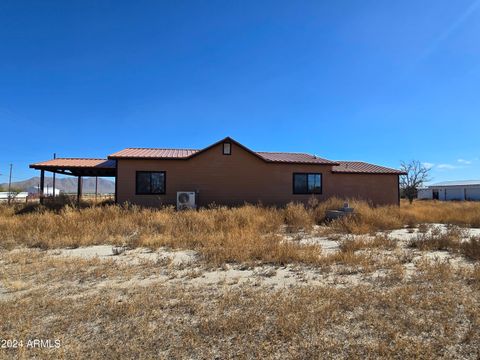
x,y
451,190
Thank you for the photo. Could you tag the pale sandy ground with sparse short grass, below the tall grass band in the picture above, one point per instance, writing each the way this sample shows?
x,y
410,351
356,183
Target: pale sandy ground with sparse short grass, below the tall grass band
x,y
386,300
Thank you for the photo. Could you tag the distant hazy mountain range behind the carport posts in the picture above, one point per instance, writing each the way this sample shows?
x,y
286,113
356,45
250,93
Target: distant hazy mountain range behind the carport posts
x,y
68,185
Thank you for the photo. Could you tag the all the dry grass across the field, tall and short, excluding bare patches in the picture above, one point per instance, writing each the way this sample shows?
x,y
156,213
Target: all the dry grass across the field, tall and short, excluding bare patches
x,y
391,306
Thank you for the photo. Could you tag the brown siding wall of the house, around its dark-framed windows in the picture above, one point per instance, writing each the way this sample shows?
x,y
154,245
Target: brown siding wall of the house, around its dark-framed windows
x,y
242,177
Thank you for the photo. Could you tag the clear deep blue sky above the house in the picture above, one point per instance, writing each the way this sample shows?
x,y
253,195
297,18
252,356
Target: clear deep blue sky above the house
x,y
379,81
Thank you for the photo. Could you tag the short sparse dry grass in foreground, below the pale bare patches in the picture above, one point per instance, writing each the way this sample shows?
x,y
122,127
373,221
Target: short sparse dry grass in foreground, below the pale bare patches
x,y
434,314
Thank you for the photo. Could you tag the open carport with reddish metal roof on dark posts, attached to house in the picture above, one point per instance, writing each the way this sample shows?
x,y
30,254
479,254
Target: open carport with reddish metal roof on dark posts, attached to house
x,y
78,167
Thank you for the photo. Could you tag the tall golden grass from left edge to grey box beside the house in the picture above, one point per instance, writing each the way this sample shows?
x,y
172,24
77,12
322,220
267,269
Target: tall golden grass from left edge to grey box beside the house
x,y
248,233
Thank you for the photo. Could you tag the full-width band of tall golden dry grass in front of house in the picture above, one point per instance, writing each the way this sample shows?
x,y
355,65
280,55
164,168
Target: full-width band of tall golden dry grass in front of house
x,y
220,234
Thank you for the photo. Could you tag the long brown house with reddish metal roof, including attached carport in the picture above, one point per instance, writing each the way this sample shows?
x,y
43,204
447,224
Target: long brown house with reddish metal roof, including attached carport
x,y
229,173
